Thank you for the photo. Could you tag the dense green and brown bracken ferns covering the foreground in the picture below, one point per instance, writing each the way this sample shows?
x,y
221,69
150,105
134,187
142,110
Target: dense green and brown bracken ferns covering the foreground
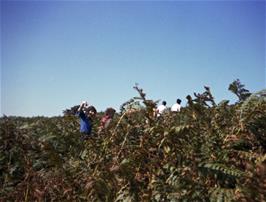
x,y
207,152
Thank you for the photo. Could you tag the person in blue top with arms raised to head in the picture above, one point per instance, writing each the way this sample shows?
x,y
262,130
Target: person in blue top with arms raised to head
x,y
86,113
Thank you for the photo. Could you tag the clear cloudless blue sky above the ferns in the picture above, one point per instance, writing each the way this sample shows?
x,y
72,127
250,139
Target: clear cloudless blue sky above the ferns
x,y
55,54
